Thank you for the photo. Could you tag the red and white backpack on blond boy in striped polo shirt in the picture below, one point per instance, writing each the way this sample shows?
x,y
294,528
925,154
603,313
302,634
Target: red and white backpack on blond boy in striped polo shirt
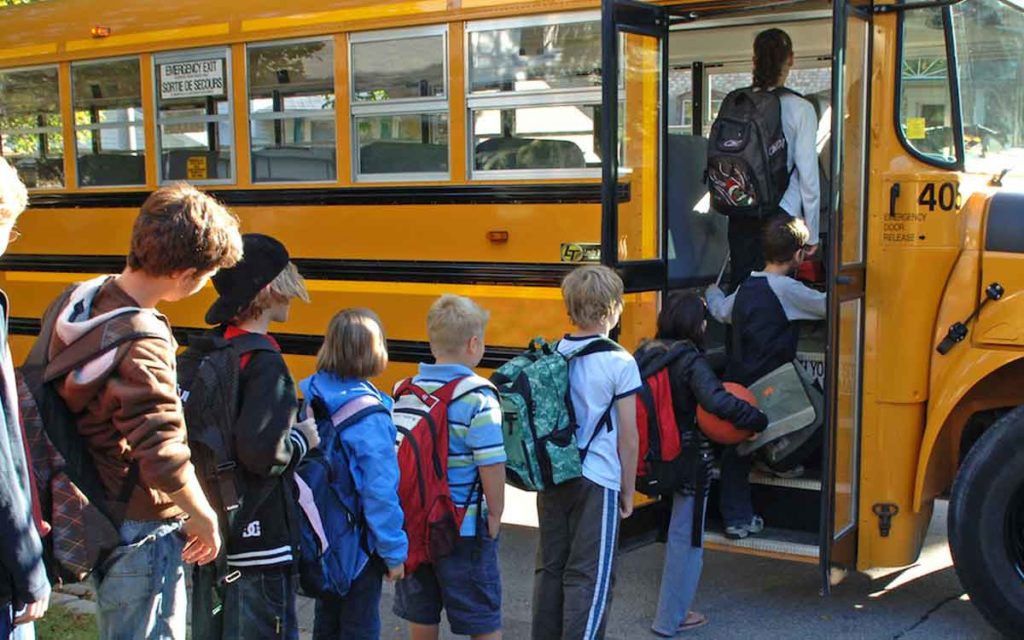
x,y
433,520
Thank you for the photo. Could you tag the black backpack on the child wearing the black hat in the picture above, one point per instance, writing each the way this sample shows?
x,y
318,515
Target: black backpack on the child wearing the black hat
x,y
208,383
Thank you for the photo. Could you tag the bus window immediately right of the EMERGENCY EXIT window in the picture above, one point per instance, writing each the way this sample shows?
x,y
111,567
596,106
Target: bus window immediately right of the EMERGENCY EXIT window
x,y
291,112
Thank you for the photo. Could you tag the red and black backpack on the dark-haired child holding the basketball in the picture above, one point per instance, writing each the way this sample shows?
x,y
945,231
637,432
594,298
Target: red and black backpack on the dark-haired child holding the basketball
x,y
662,466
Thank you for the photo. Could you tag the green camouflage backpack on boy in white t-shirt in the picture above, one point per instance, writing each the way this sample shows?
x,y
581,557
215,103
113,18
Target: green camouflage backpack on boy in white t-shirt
x,y
540,425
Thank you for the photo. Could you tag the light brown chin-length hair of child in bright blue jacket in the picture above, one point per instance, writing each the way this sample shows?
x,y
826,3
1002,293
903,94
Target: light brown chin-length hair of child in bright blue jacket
x,y
351,348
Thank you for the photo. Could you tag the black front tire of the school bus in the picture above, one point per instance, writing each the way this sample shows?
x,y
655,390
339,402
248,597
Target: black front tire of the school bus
x,y
987,524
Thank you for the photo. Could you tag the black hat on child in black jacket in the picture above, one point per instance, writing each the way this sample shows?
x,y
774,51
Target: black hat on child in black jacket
x,y
264,259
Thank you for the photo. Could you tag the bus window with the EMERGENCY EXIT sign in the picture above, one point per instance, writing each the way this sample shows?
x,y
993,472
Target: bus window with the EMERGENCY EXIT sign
x,y
194,114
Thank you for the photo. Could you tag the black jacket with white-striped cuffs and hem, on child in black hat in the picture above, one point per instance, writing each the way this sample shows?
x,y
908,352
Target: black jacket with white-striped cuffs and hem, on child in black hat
x,y
267,451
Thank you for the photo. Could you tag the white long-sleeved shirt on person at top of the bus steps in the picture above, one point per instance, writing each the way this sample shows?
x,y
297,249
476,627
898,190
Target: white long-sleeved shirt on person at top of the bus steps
x,y
803,197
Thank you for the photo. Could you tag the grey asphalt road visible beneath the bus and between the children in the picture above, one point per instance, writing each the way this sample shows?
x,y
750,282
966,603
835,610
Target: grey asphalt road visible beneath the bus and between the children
x,y
747,598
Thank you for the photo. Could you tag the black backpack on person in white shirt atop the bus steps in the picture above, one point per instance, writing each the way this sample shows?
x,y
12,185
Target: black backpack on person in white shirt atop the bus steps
x,y
748,172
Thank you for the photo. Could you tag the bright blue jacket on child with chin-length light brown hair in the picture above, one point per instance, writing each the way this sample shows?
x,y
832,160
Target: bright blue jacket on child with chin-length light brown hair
x,y
369,448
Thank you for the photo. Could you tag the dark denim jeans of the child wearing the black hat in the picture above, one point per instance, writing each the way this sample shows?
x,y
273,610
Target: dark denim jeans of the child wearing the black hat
x,y
262,605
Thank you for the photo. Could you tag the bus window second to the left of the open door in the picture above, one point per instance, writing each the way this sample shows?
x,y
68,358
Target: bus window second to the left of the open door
x,y
400,104
